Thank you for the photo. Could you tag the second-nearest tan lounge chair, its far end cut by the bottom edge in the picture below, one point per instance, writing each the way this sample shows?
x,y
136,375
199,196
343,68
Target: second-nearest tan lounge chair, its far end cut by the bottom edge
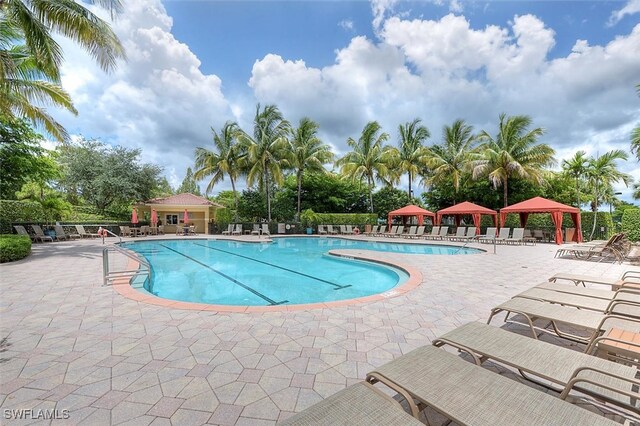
x,y
471,395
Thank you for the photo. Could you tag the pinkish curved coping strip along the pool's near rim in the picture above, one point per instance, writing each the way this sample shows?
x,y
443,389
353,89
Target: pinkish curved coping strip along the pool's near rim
x,y
123,286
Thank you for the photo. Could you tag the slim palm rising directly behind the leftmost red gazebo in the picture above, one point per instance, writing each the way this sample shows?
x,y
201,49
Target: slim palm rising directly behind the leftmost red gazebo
x,y
411,156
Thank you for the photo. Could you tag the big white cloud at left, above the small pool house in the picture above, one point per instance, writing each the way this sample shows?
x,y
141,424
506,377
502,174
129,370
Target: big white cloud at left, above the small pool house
x,y
158,99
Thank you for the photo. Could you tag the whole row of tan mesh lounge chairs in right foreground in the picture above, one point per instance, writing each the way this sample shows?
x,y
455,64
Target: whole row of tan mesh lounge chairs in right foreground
x,y
604,375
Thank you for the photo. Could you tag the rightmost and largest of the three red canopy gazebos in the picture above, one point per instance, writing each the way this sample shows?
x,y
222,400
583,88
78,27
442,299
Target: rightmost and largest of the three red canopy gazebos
x,y
542,205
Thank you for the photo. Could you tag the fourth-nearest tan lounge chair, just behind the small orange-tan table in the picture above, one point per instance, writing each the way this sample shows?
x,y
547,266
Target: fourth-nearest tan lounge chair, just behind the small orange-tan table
x,y
593,323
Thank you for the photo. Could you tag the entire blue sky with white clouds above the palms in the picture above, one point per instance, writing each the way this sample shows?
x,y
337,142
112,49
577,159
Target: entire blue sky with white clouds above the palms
x,y
192,65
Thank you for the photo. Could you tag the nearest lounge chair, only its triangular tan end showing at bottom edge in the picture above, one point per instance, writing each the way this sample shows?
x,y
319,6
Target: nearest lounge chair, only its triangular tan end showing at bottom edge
x,y
359,404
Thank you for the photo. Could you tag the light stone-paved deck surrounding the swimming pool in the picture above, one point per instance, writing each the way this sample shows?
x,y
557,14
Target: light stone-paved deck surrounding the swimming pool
x,y
70,343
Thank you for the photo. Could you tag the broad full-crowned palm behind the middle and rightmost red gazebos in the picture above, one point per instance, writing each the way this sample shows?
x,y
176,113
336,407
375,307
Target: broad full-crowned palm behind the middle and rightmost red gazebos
x,y
513,153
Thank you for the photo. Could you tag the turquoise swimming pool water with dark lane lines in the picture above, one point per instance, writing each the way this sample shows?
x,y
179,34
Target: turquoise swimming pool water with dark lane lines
x,y
286,271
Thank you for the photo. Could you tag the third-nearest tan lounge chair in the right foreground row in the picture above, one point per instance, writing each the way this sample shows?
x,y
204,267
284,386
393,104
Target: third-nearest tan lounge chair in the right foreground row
x,y
545,361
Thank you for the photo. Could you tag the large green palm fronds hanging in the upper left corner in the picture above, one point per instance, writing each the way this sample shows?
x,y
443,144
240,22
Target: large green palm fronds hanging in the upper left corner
x,y
30,58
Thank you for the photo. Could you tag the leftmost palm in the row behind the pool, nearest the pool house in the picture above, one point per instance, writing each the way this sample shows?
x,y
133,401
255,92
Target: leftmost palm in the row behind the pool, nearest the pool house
x,y
226,159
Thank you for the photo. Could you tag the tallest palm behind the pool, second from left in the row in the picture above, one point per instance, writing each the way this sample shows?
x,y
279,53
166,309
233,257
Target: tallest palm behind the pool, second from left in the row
x,y
266,149
